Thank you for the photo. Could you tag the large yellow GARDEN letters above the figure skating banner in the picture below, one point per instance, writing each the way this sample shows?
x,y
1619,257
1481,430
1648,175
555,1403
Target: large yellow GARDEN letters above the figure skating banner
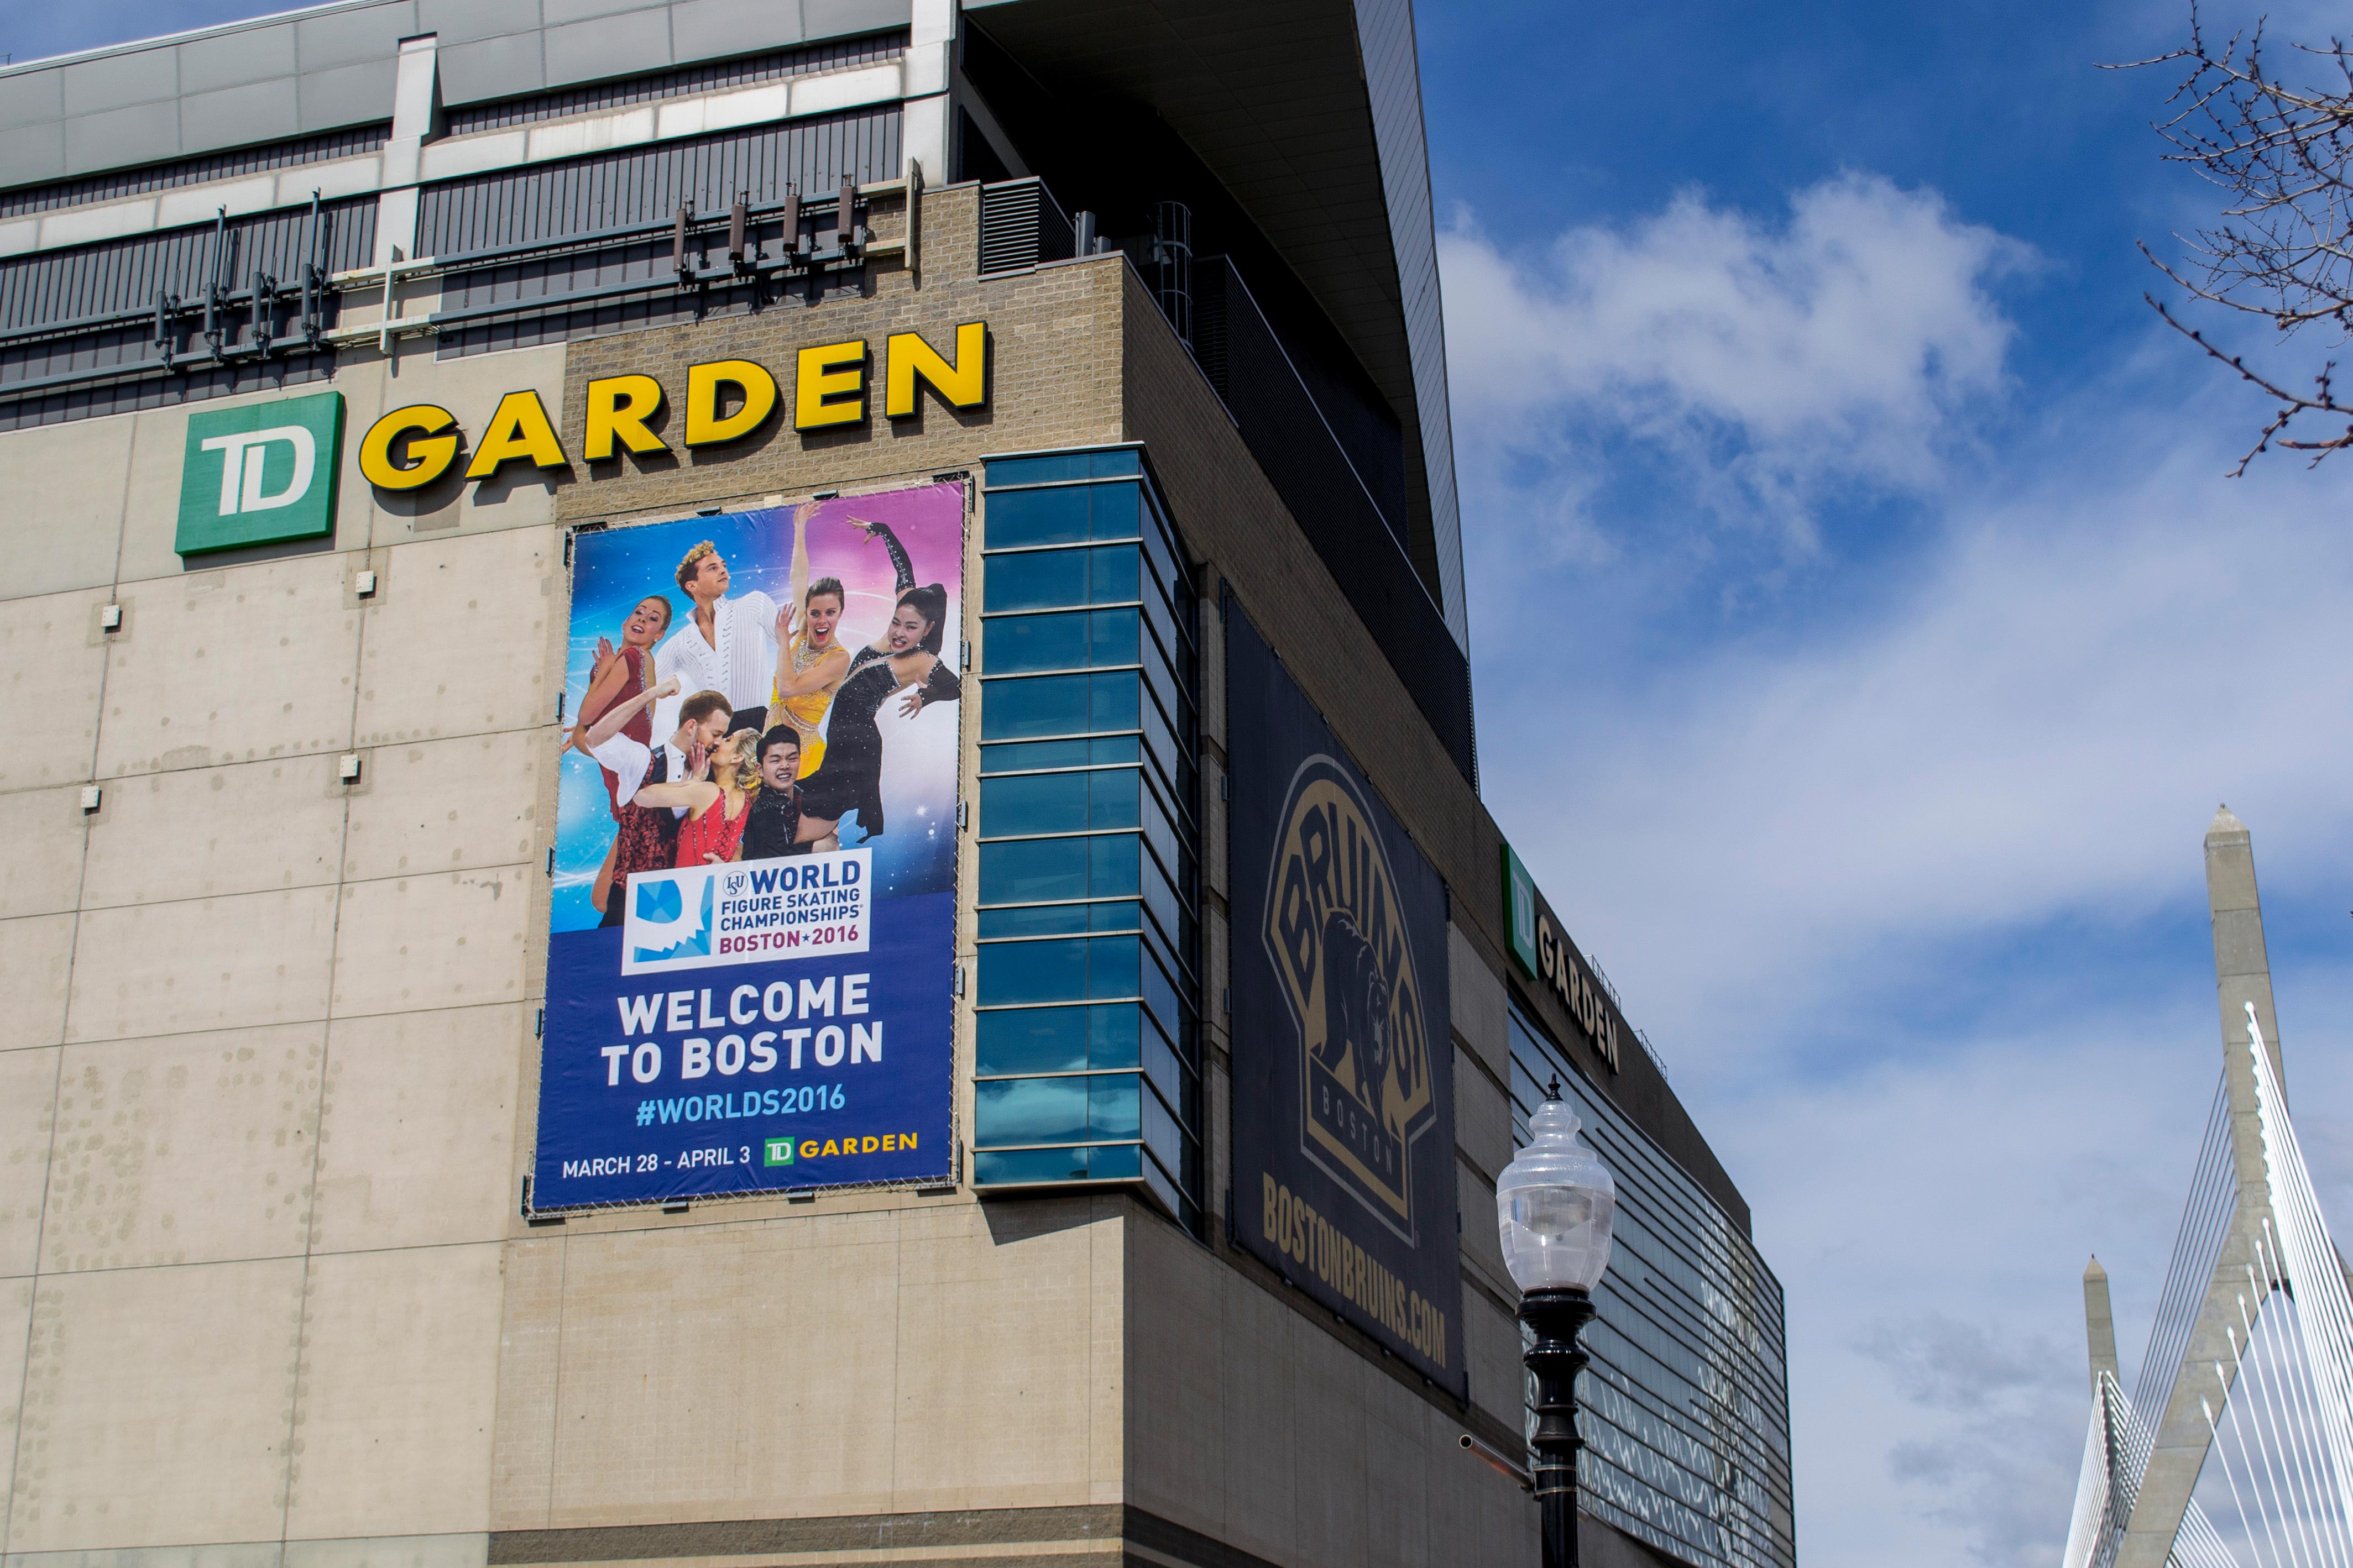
x,y
724,401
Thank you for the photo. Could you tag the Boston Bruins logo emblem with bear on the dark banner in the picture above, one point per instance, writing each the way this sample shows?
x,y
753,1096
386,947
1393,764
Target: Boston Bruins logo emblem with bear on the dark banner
x,y
1347,970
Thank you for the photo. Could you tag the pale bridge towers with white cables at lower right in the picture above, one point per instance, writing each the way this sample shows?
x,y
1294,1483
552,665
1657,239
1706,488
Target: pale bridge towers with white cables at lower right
x,y
2237,1440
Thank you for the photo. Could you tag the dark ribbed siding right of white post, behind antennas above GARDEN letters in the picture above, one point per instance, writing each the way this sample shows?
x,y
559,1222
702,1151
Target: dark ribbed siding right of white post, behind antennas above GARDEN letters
x,y
566,206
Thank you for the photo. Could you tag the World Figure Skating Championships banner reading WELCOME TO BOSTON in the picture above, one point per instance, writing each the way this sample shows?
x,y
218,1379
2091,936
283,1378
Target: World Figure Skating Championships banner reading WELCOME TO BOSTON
x,y
754,920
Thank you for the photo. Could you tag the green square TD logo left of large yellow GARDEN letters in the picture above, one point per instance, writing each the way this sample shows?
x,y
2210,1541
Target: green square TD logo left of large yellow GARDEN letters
x,y
262,474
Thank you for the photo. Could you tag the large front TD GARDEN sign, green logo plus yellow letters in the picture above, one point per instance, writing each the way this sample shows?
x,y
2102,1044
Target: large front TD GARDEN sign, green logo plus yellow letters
x,y
267,474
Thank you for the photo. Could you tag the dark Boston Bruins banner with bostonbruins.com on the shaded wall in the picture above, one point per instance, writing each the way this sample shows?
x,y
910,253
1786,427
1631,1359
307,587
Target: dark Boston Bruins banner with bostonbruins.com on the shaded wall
x,y
1342,1059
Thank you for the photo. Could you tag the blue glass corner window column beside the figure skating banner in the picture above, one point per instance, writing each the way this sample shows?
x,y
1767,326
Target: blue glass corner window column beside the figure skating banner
x,y
1086,993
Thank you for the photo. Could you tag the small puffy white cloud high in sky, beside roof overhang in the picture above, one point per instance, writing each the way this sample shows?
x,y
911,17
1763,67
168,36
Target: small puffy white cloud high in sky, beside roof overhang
x,y
1775,361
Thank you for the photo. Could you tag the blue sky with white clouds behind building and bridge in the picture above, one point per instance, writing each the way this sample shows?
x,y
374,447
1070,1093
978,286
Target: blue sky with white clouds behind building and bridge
x,y
1865,634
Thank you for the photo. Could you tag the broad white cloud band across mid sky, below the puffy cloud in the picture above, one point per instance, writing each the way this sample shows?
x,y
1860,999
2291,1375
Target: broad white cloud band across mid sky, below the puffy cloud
x,y
2034,728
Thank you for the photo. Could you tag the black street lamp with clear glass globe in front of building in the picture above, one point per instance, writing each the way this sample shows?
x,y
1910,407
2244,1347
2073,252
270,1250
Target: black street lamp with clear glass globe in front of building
x,y
1554,1207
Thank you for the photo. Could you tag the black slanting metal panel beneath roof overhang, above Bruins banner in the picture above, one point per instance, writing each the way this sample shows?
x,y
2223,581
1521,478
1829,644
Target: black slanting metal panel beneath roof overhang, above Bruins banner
x,y
1288,434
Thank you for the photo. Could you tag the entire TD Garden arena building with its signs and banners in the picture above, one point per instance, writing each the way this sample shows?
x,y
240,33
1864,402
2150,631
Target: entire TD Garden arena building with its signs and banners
x,y
745,819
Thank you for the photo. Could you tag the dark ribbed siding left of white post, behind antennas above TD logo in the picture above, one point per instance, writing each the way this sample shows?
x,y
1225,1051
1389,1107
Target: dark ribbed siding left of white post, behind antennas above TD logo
x,y
88,311
